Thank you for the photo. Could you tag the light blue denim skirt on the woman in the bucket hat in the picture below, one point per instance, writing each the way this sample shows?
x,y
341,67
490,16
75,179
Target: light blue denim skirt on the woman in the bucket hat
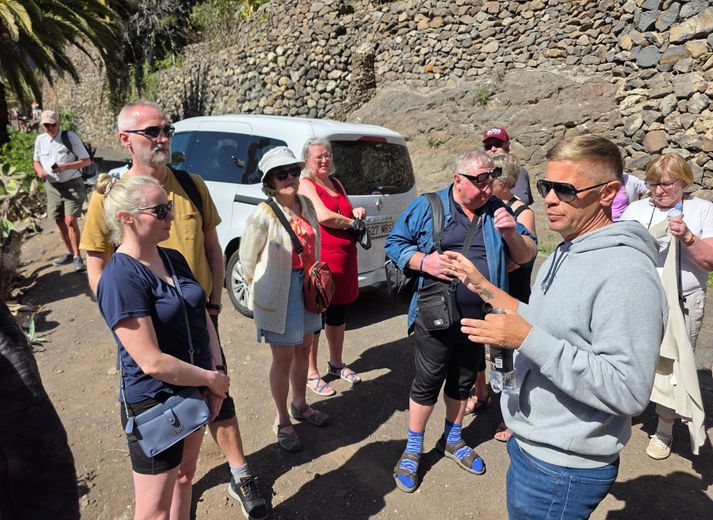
x,y
299,320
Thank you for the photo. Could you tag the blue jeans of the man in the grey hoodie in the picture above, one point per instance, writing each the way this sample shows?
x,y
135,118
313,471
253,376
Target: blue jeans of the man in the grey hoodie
x,y
539,490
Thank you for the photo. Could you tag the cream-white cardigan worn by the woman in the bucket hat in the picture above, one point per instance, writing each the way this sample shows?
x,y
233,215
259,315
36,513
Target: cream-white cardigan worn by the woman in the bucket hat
x,y
266,257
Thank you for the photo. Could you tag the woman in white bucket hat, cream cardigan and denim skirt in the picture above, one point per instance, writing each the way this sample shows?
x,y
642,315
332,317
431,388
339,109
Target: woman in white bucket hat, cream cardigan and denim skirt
x,y
275,274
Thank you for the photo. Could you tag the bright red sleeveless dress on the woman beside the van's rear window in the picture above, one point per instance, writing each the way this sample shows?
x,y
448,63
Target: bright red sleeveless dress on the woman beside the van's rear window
x,y
339,247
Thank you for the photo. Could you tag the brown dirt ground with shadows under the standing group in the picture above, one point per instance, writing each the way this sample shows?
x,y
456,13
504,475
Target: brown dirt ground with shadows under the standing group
x,y
344,470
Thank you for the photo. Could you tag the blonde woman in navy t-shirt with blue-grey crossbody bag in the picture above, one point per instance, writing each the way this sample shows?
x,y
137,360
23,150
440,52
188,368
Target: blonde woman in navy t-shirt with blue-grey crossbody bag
x,y
138,300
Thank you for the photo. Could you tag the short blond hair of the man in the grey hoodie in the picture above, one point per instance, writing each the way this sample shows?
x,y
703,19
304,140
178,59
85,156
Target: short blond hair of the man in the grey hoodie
x,y
602,157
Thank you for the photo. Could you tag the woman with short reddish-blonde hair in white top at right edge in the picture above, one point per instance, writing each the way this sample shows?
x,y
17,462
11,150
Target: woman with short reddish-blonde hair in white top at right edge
x,y
667,178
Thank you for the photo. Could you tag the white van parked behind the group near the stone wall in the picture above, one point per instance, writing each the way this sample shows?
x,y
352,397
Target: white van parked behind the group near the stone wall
x,y
371,161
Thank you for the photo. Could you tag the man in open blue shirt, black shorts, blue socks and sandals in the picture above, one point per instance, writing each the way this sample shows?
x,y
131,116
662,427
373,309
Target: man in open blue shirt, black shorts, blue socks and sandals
x,y
446,355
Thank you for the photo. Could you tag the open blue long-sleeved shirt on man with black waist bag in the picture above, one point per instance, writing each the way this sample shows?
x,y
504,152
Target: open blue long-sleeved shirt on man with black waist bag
x,y
413,232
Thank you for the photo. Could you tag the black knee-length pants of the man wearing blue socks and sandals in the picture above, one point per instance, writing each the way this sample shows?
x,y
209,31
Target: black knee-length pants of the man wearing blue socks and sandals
x,y
444,355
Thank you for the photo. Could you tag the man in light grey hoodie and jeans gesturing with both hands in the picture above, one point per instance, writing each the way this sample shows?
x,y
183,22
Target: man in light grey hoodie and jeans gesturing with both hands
x,y
587,343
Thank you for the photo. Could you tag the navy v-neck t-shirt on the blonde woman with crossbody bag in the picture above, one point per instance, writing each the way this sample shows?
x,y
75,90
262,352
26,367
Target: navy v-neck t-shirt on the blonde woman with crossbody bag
x,y
127,289
